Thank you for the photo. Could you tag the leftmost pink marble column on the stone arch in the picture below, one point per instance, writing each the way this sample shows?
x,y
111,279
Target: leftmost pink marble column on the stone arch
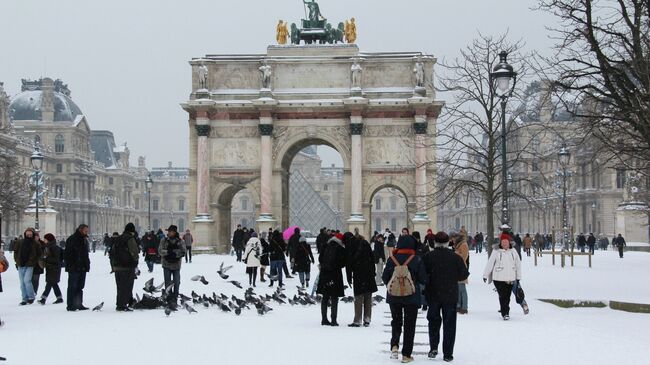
x,y
202,171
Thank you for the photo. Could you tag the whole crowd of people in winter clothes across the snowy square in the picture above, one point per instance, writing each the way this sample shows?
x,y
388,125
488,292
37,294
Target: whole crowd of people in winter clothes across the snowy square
x,y
420,273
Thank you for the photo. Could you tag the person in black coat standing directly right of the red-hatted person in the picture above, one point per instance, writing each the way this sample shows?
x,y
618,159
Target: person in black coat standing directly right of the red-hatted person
x,y
361,275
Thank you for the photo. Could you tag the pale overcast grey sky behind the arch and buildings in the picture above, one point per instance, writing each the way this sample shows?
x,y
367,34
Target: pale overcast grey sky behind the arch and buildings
x,y
126,61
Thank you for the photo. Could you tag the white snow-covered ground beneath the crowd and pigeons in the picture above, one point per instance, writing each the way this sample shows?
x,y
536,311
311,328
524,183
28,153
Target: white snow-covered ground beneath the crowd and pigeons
x,y
292,335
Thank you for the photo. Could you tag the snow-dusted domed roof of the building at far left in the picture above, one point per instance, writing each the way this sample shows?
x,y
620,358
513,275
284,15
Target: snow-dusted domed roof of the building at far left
x,y
27,106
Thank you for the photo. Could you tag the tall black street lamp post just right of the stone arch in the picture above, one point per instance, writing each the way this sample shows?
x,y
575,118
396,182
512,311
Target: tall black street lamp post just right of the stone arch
x,y
505,79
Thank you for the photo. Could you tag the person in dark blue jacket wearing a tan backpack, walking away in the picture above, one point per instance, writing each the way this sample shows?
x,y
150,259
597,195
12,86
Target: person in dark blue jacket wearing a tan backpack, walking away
x,y
404,300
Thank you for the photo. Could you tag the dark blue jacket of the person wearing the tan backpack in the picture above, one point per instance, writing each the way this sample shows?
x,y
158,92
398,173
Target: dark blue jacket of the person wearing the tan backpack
x,y
418,274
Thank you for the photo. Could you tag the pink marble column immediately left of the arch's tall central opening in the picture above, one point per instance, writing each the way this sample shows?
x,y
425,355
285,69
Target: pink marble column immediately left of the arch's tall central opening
x,y
266,169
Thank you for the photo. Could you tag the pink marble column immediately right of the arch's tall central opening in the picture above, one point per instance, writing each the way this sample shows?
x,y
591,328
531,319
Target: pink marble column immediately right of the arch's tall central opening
x,y
356,127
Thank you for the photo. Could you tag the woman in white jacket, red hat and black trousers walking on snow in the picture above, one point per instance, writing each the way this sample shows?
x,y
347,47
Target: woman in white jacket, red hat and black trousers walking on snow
x,y
503,268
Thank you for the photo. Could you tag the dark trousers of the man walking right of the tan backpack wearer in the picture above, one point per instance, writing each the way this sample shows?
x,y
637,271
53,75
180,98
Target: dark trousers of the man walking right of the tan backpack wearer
x,y
448,322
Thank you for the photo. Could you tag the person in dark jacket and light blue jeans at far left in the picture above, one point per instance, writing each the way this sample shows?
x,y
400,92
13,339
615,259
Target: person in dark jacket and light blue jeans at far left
x,y
27,252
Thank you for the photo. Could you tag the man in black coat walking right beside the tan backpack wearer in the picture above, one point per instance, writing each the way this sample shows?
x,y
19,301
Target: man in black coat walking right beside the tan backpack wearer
x,y
445,269
